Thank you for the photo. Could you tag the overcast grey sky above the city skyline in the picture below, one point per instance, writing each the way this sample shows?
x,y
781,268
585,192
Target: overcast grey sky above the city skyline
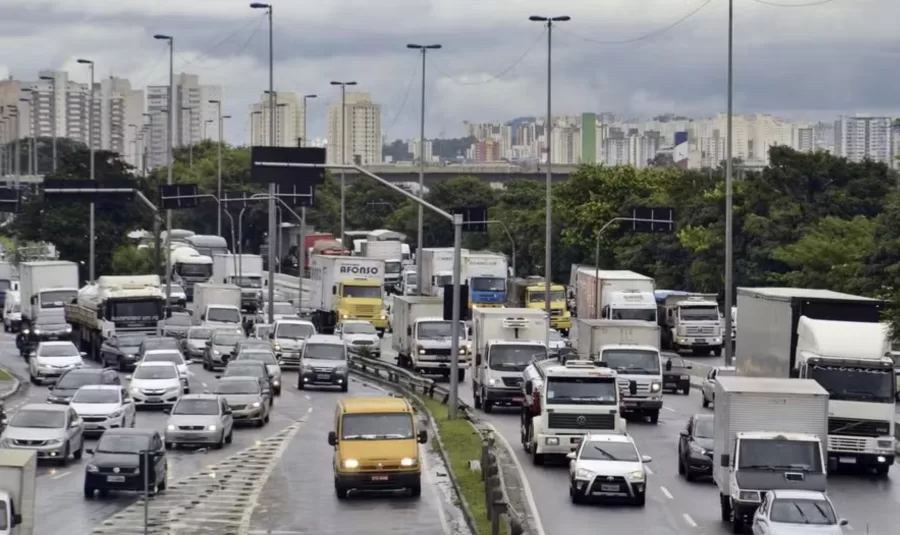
x,y
630,57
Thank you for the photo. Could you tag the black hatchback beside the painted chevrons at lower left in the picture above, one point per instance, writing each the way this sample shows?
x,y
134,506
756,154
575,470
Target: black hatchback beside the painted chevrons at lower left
x,y
120,460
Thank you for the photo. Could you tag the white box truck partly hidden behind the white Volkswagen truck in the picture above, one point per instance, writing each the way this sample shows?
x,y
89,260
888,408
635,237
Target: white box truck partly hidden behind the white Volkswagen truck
x,y
632,349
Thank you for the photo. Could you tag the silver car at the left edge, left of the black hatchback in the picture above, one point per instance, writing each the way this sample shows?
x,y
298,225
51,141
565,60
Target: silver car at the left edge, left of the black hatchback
x,y
52,431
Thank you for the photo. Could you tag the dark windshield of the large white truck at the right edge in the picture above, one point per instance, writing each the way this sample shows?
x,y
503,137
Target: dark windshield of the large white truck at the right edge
x,y
855,384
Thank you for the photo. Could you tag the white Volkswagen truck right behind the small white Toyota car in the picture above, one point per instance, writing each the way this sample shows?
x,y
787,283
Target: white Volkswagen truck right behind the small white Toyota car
x,y
563,401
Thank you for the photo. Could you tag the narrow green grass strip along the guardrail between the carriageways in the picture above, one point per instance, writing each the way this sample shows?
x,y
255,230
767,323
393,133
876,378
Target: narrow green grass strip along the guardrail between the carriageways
x,y
462,443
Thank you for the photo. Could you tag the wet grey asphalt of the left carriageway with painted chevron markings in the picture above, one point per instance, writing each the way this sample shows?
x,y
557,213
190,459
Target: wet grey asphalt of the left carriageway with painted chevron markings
x,y
275,479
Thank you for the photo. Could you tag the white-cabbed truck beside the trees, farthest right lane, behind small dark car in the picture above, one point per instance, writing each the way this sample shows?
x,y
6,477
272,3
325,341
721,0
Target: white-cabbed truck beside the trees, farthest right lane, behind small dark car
x,y
690,321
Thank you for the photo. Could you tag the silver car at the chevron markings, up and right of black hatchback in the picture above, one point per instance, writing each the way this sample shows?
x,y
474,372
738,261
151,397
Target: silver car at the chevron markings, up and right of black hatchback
x,y
200,419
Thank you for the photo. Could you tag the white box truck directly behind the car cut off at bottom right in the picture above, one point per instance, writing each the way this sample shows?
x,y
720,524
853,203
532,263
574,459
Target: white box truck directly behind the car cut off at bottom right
x,y
769,435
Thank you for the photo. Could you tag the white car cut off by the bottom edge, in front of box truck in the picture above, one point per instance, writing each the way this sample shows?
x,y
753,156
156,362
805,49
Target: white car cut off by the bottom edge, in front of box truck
x,y
796,512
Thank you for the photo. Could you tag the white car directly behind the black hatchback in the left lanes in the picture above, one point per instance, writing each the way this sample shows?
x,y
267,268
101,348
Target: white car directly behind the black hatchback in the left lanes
x,y
103,407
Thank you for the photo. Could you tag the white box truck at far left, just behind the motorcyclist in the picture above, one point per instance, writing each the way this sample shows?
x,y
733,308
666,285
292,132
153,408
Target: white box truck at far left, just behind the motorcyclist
x,y
46,287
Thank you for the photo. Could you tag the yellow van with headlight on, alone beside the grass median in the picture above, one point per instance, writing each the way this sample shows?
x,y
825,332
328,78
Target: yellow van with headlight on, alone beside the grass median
x,y
376,446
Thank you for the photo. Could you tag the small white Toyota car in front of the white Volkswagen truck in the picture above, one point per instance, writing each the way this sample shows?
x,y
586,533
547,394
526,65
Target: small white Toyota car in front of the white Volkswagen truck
x,y
607,467
